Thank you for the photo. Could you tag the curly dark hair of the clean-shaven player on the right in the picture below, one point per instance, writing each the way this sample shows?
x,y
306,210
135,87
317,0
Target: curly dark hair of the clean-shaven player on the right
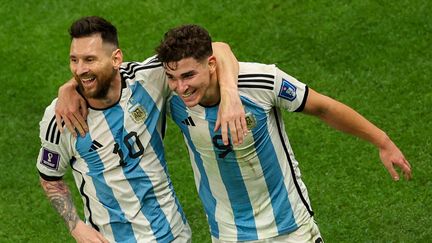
x,y
183,42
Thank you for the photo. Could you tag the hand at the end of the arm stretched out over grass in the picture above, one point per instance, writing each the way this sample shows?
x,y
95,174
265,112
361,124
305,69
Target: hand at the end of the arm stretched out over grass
x,y
391,155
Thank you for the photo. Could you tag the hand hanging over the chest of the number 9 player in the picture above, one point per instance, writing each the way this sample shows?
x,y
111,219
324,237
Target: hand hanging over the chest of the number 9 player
x,y
231,116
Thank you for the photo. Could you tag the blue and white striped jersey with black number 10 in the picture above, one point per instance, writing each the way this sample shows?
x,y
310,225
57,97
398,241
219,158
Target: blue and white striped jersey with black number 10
x,y
119,166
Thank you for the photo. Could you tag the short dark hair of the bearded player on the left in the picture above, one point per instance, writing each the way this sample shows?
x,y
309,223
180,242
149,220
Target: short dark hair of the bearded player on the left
x,y
87,26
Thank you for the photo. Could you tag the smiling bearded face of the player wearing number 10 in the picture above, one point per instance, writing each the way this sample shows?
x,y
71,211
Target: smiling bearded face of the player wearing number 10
x,y
93,65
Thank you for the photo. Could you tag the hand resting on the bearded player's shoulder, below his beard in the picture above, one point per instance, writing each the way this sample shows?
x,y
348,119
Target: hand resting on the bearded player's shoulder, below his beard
x,y
72,109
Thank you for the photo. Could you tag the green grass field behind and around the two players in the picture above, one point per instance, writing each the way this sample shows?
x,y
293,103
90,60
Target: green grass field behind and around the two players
x,y
372,55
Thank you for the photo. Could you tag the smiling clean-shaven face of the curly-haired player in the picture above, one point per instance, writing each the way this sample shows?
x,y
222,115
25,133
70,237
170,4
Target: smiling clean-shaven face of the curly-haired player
x,y
195,82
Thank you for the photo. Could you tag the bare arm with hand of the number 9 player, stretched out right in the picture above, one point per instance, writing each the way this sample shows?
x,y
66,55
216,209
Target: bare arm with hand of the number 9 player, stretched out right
x,y
344,118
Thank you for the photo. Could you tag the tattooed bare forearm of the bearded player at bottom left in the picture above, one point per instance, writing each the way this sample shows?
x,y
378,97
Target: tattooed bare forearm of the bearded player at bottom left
x,y
60,197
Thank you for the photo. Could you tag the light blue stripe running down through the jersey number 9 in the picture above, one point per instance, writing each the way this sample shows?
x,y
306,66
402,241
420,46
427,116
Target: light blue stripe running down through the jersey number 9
x,y
234,184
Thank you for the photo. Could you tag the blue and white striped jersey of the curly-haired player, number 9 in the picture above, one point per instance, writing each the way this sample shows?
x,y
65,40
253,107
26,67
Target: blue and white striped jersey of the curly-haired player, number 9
x,y
254,190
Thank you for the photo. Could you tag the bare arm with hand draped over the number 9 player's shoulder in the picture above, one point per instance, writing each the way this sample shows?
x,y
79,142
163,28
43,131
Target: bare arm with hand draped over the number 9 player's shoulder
x,y
231,114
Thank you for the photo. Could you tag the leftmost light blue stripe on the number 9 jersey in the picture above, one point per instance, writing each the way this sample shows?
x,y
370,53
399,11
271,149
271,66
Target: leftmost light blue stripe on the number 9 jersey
x,y
178,113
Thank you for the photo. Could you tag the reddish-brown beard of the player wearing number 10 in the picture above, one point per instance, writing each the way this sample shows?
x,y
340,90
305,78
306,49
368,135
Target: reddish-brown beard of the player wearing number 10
x,y
103,85
